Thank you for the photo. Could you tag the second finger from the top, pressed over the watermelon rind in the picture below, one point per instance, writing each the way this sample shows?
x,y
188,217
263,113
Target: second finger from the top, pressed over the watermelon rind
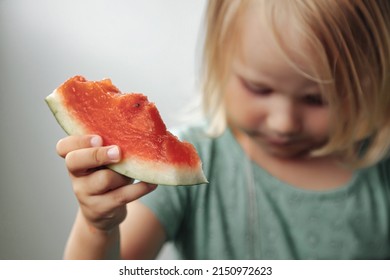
x,y
83,161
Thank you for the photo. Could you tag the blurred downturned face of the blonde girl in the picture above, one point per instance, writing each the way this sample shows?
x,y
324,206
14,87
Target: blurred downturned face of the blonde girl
x,y
269,101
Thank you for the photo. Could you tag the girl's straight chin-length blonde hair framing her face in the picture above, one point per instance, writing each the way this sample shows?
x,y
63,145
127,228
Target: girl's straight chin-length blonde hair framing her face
x,y
351,43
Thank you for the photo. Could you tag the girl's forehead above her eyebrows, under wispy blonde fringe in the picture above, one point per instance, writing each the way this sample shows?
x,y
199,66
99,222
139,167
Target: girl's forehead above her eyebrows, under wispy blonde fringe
x,y
271,36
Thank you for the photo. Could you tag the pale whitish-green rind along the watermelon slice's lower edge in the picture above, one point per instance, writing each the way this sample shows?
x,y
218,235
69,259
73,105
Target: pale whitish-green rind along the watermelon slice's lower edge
x,y
147,171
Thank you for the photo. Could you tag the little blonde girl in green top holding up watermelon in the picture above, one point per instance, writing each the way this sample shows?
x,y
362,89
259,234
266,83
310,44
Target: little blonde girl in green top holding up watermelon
x,y
295,145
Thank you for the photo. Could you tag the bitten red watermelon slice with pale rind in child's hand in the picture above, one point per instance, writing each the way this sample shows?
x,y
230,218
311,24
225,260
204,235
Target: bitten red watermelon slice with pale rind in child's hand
x,y
150,153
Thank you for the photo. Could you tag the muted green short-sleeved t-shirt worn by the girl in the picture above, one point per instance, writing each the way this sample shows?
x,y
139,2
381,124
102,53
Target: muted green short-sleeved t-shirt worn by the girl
x,y
246,213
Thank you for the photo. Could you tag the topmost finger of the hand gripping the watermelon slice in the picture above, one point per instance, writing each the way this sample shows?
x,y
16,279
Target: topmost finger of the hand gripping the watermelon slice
x,y
76,142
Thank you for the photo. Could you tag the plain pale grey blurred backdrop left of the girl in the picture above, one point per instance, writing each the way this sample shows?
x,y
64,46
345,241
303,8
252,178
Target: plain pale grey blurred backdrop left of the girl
x,y
150,46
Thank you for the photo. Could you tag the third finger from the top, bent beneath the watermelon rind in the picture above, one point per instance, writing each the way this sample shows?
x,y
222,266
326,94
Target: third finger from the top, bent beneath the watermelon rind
x,y
101,181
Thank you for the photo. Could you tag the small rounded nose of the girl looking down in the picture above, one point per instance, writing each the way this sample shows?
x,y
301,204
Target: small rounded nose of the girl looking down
x,y
283,119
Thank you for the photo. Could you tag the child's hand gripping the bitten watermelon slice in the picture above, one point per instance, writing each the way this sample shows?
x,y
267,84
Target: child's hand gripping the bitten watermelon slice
x,y
101,192
